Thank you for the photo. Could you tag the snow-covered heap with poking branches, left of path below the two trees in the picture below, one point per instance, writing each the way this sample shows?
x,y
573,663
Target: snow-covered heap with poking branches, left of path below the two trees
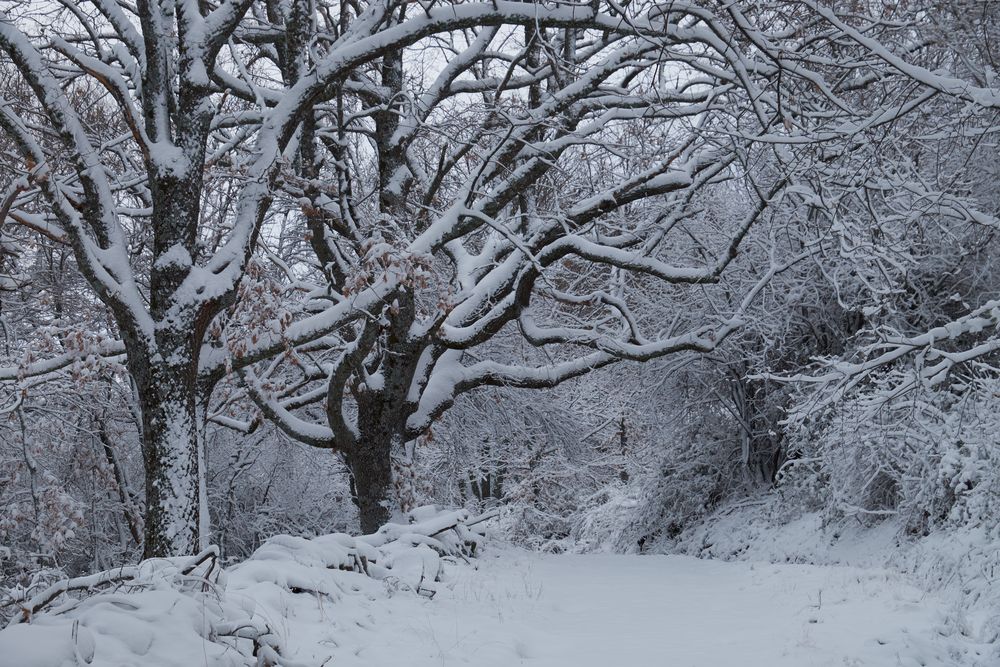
x,y
292,602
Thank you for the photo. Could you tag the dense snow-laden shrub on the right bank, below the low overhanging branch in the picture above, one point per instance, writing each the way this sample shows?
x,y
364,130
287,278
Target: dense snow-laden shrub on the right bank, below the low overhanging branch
x,y
931,457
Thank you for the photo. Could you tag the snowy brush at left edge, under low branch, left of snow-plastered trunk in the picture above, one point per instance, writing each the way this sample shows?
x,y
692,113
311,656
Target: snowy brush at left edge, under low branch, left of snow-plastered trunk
x,y
64,483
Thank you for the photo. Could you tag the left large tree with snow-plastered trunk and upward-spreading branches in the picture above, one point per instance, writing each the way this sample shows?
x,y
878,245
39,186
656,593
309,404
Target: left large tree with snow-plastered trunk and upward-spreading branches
x,y
161,67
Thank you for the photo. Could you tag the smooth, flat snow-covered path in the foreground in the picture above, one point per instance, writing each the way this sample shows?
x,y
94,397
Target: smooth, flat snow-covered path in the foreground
x,y
608,611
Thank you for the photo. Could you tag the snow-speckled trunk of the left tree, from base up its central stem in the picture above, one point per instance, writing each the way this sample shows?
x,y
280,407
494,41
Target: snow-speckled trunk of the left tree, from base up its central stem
x,y
168,381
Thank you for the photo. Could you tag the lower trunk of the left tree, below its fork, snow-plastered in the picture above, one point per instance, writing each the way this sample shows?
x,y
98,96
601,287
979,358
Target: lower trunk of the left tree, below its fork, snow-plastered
x,y
170,452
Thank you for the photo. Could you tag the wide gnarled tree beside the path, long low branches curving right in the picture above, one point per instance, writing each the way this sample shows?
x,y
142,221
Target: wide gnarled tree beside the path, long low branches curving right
x,y
529,188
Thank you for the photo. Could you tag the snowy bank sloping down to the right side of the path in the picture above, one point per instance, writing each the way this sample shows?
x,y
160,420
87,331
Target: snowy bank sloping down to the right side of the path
x,y
958,565
